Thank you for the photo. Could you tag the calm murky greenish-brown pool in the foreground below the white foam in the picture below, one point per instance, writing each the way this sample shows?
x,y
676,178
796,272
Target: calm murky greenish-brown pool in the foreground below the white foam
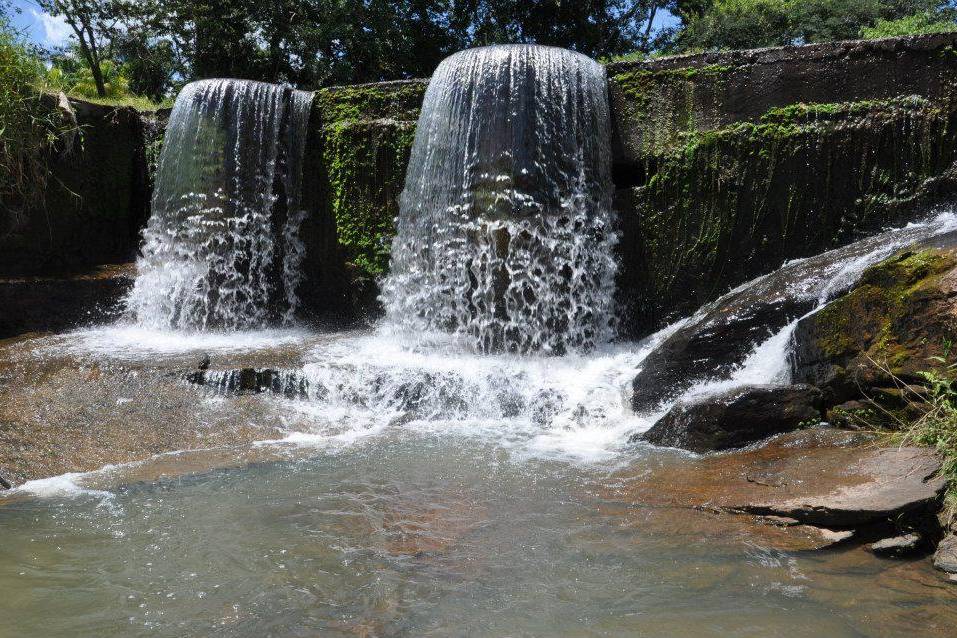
x,y
418,535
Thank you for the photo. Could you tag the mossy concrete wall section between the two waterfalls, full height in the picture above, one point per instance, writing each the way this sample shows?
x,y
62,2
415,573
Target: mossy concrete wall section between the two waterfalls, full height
x,y
360,141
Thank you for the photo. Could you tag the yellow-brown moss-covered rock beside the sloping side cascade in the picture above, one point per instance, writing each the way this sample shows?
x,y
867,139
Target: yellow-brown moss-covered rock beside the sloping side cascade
x,y
897,318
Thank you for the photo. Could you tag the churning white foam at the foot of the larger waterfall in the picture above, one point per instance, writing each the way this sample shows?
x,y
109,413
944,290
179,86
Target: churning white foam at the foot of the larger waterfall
x,y
573,407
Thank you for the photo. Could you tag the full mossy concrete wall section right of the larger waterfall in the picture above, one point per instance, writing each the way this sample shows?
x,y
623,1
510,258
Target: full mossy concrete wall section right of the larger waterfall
x,y
729,164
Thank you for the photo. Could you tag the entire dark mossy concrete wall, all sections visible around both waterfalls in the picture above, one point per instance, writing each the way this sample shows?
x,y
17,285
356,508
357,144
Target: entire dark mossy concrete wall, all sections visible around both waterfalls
x,y
725,164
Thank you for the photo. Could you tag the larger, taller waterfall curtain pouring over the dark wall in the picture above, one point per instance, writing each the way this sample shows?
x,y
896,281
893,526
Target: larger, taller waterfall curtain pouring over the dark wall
x,y
505,230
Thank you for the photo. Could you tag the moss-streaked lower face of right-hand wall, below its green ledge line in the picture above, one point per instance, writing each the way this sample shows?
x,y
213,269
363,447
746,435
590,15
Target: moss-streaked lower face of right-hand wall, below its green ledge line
x,y
724,205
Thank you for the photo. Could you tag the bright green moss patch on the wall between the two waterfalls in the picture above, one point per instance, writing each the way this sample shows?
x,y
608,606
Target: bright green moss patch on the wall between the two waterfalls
x,y
365,163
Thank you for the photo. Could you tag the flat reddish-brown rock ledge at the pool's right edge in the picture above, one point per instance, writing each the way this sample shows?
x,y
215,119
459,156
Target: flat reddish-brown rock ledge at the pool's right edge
x,y
820,484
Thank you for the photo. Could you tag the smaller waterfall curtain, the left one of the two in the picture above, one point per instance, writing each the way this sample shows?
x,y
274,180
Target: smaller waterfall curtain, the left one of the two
x,y
221,249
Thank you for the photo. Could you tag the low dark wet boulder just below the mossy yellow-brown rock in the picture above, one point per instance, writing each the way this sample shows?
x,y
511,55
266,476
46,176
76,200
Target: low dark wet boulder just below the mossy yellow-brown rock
x,y
736,418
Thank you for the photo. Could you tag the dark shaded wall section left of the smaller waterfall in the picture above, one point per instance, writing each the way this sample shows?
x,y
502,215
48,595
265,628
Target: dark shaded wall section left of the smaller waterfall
x,y
95,202
